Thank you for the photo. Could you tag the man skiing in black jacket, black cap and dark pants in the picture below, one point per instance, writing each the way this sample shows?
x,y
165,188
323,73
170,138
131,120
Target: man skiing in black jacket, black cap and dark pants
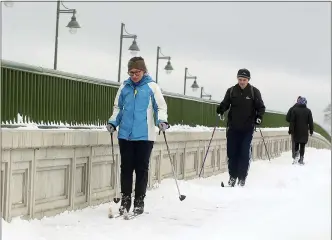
x,y
246,109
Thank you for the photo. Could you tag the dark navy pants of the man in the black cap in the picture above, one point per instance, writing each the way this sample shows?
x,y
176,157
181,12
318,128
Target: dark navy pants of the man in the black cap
x,y
239,152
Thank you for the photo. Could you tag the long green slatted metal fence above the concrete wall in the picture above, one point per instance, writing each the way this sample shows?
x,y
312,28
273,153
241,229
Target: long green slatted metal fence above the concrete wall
x,y
53,97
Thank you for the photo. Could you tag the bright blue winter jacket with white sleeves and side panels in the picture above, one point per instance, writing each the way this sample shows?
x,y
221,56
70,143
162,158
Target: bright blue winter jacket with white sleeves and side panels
x,y
138,108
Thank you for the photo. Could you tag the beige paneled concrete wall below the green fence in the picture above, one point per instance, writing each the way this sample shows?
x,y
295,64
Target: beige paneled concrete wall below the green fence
x,y
46,172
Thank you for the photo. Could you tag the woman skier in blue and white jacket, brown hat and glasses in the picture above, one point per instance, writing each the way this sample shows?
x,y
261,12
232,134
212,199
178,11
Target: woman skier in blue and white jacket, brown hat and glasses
x,y
139,106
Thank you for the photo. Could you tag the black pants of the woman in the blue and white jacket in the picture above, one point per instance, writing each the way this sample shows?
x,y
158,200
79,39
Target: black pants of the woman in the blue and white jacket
x,y
135,156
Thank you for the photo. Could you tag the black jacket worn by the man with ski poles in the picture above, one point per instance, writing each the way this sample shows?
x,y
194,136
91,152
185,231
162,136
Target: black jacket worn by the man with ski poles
x,y
243,109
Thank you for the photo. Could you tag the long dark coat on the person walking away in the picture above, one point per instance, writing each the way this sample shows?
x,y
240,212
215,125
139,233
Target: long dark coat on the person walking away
x,y
301,123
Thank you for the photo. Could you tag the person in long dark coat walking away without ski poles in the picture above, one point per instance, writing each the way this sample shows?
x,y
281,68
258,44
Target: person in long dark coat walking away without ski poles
x,y
301,124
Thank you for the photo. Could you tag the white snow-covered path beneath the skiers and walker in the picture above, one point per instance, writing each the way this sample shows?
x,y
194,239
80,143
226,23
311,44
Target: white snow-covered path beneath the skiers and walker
x,y
280,201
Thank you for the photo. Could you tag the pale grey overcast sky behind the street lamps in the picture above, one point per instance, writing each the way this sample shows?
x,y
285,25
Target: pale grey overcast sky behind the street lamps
x,y
286,46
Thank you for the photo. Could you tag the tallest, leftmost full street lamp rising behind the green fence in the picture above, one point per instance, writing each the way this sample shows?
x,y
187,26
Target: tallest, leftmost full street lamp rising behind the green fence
x,y
72,25
